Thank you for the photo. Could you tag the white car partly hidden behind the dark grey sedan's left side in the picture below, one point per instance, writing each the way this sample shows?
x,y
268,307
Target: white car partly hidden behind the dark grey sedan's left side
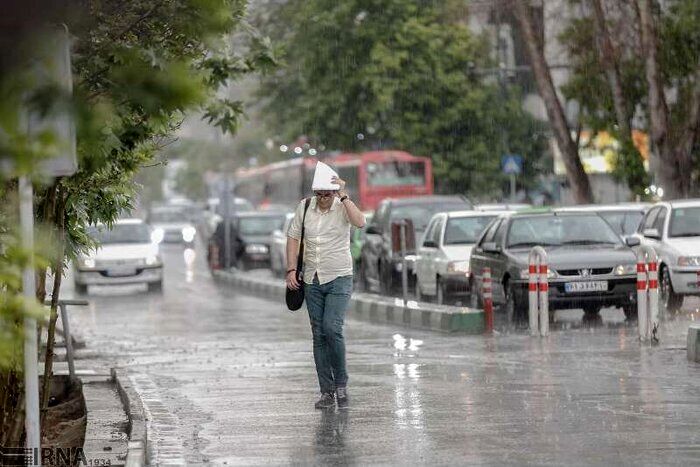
x,y
442,263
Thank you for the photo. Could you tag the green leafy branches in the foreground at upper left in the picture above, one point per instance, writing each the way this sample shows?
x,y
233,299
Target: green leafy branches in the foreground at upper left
x,y
138,67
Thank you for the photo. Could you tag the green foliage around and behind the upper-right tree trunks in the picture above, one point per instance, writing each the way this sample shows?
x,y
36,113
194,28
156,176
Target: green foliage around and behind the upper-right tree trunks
x,y
679,49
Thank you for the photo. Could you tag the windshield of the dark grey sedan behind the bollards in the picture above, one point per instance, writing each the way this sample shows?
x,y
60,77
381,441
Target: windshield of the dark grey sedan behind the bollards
x,y
560,230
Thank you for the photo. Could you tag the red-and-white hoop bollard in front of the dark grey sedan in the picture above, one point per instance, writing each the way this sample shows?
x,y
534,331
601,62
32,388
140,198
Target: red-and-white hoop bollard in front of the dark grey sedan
x,y
538,292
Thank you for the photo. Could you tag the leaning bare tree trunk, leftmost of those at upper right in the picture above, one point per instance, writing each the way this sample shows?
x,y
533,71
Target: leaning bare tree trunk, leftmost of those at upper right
x,y
577,177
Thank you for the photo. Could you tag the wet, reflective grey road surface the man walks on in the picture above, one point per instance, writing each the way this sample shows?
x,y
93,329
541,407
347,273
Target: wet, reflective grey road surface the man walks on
x,y
229,379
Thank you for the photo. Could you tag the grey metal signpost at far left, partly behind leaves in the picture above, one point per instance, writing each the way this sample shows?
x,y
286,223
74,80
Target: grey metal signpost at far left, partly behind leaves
x,y
31,364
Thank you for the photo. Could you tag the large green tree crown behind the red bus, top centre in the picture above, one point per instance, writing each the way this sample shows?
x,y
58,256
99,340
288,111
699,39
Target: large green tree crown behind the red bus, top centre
x,y
364,74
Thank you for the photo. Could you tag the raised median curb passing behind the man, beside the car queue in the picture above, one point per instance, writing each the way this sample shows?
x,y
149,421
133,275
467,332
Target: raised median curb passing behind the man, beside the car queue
x,y
376,309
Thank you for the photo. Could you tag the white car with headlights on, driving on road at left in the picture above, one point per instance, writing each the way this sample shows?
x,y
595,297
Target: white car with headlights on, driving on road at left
x,y
128,253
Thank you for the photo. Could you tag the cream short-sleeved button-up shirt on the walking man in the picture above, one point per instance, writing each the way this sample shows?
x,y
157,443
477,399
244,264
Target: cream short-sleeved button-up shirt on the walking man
x,y
326,241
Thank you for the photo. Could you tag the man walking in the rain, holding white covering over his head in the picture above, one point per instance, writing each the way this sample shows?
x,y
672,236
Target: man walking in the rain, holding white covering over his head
x,y
327,276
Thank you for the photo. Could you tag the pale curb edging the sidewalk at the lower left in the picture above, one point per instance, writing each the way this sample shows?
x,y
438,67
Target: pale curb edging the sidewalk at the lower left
x,y
138,433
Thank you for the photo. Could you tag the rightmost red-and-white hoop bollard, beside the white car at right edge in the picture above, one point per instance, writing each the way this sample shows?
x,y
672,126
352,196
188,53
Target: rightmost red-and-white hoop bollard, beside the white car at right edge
x,y
647,293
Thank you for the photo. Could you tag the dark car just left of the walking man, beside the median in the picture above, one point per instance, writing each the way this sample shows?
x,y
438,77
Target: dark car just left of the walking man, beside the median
x,y
250,238
